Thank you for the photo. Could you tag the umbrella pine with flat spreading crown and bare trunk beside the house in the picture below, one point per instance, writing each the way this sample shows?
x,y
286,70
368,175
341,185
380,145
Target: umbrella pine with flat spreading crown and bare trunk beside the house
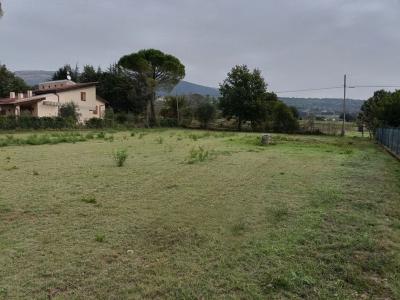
x,y
156,70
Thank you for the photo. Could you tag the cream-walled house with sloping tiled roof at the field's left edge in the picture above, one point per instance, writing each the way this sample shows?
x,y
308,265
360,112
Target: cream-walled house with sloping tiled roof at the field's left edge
x,y
47,99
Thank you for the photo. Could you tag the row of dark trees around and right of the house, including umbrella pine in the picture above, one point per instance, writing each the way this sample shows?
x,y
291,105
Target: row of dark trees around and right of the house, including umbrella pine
x,y
131,86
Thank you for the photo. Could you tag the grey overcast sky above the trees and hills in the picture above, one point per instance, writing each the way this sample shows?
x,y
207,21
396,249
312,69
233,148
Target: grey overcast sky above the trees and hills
x,y
296,43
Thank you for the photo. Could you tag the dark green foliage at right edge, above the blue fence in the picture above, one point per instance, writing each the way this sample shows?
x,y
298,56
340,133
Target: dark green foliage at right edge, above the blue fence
x,y
382,109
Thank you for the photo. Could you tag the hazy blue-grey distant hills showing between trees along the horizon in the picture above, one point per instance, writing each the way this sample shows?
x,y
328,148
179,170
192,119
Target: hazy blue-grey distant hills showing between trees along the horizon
x,y
318,106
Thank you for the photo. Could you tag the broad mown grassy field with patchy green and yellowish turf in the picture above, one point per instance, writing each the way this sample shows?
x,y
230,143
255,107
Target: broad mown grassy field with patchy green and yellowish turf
x,y
193,214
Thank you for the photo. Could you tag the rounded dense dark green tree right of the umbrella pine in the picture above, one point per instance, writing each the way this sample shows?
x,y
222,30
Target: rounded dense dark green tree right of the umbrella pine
x,y
244,96
